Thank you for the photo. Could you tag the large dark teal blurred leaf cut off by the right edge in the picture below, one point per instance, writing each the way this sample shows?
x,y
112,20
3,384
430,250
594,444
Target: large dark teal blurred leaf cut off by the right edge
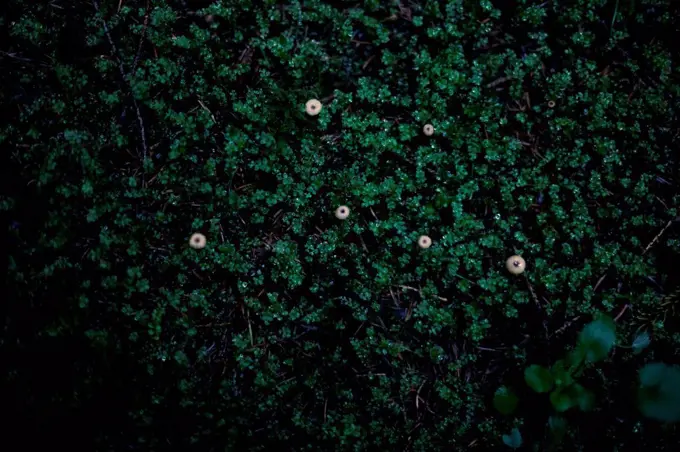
x,y
659,392
